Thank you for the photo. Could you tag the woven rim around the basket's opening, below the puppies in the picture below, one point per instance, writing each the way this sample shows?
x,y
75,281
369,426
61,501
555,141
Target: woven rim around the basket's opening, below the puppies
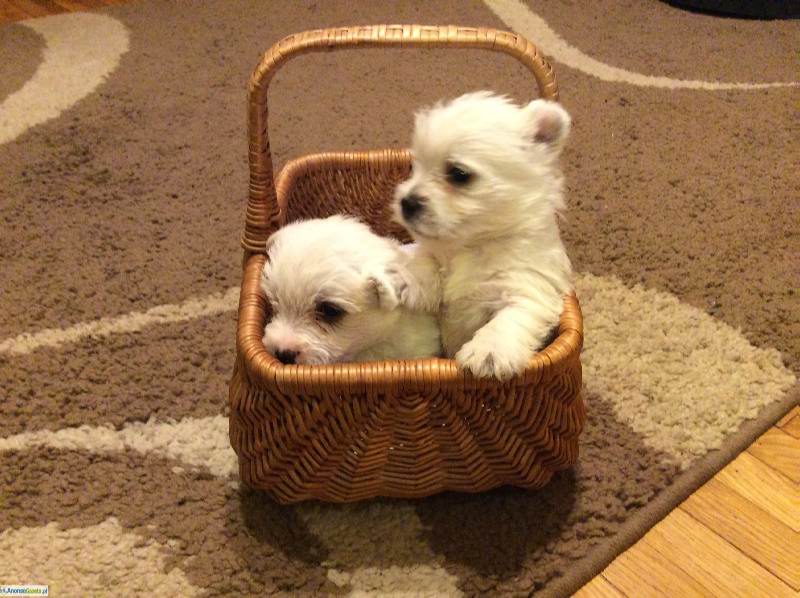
x,y
265,368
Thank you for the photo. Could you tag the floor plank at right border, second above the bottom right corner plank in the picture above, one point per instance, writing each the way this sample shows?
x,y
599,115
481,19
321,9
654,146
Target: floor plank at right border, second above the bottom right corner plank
x,y
762,485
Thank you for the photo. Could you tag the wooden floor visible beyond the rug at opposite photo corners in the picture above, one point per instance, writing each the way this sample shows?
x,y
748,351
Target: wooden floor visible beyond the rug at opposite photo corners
x,y
739,535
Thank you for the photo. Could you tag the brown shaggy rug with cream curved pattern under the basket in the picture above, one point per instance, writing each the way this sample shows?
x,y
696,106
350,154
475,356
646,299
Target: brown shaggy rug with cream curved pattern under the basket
x,y
124,176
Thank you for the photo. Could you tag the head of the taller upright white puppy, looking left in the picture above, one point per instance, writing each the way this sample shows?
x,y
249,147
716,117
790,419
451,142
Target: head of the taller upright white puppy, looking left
x,y
482,164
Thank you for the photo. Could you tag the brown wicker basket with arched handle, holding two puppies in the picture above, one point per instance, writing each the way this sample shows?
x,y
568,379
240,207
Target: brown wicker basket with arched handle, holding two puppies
x,y
347,432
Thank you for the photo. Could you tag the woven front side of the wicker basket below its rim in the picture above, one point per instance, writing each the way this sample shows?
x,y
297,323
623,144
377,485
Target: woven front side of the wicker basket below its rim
x,y
346,448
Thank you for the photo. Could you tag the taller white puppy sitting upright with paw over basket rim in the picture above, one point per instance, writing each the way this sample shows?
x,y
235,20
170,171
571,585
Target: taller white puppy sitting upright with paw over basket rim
x,y
483,201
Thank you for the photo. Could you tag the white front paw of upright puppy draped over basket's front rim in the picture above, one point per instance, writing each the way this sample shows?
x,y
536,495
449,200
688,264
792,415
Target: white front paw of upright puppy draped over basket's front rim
x,y
503,346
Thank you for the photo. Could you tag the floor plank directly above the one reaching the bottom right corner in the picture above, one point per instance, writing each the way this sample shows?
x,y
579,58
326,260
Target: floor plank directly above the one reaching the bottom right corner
x,y
766,540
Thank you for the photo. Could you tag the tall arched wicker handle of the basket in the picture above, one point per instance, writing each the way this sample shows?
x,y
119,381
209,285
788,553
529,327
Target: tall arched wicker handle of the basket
x,y
262,210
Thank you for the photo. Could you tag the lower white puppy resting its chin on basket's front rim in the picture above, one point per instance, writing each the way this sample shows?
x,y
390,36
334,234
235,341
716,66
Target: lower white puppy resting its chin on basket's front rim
x,y
332,301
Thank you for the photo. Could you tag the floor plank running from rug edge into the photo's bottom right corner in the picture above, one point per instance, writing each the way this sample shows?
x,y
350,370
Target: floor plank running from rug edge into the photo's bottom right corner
x,y
705,556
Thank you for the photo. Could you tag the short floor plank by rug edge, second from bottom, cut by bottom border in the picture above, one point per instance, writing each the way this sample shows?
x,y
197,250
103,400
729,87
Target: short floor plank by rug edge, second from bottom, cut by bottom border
x,y
643,572
